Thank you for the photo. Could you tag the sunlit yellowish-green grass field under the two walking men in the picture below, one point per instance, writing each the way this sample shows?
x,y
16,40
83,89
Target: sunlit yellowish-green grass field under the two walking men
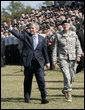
x,y
12,90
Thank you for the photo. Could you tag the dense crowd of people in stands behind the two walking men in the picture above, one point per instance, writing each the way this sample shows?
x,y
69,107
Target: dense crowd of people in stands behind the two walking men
x,y
50,21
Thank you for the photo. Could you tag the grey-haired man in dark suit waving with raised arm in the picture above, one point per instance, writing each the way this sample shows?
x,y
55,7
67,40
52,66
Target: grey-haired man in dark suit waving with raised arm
x,y
34,47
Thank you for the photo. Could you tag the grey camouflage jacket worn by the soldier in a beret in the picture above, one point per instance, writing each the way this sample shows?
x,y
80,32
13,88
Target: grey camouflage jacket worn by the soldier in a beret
x,y
67,46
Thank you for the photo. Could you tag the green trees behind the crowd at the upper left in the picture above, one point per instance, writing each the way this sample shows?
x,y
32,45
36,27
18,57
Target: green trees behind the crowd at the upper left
x,y
14,10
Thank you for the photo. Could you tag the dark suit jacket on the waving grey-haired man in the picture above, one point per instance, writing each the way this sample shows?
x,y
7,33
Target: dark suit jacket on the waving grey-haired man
x,y
28,52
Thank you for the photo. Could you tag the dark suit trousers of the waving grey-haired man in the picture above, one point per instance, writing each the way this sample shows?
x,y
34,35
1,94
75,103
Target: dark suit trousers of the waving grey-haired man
x,y
36,69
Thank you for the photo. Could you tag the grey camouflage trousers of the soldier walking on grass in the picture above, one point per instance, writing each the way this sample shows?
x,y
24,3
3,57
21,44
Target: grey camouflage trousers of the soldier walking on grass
x,y
68,69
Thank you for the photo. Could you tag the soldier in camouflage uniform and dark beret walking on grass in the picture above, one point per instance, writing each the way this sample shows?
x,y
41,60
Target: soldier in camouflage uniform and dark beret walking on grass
x,y
68,48
